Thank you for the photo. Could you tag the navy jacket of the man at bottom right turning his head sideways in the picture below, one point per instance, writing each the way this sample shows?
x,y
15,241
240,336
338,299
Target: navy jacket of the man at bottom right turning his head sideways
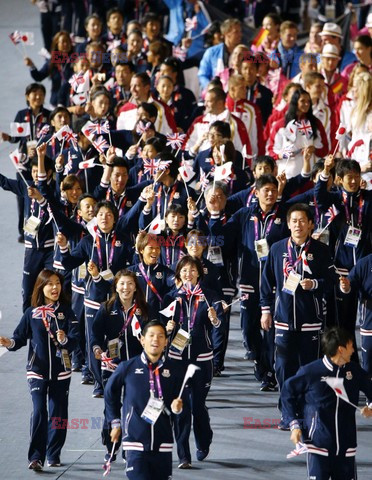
x,y
329,422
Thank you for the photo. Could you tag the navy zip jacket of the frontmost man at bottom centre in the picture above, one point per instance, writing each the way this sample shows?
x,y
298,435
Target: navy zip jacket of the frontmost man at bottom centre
x,y
134,376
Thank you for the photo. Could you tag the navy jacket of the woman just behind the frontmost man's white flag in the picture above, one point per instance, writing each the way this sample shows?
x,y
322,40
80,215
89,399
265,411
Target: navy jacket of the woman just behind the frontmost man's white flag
x,y
200,349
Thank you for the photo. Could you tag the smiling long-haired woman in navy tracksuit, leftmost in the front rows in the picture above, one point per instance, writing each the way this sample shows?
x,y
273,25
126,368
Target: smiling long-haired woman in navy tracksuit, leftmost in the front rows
x,y
52,329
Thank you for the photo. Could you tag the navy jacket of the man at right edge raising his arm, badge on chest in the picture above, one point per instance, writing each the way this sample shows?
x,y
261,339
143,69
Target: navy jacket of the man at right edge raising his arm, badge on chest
x,y
345,257
